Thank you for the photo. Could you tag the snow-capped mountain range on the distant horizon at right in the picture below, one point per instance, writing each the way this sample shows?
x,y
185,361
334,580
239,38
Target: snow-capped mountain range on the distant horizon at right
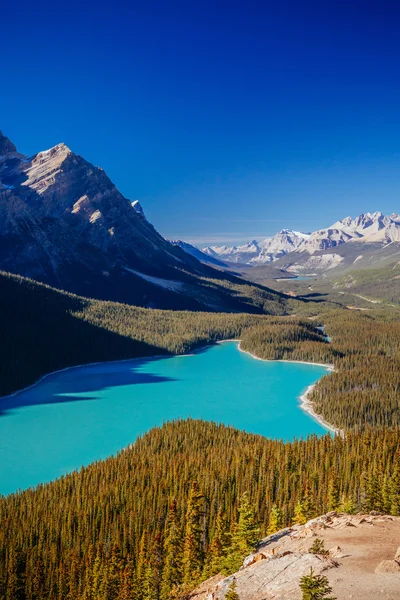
x,y
369,227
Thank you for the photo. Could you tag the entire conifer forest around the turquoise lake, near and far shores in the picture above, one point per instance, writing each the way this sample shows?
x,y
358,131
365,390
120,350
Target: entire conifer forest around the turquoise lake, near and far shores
x,y
191,499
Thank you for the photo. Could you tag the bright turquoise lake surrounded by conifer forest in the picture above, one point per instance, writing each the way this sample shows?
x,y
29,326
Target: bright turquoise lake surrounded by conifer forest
x,y
83,414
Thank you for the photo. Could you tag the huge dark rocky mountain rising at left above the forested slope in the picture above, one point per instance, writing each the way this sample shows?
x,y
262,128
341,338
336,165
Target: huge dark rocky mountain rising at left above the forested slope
x,y
63,222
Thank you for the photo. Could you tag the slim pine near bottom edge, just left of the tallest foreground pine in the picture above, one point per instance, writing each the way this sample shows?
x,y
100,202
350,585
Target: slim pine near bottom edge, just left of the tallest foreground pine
x,y
173,545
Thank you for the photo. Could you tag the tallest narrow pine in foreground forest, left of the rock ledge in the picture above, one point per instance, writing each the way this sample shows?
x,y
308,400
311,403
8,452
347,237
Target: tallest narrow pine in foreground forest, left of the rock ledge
x,y
193,553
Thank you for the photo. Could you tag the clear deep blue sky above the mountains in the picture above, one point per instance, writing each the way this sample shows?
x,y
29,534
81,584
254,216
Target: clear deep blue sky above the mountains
x,y
227,120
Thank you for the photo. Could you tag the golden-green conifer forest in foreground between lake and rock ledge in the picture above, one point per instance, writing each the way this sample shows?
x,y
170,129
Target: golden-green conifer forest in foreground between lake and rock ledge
x,y
185,501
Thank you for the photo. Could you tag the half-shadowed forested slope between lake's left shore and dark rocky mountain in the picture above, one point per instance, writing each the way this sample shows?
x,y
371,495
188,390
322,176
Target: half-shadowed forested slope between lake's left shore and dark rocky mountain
x,y
43,329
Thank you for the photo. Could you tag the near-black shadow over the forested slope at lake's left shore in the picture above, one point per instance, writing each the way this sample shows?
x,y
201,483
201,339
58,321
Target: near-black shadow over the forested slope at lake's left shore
x,y
39,335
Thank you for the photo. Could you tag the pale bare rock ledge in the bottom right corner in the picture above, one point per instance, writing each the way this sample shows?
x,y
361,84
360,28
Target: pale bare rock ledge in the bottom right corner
x,y
360,562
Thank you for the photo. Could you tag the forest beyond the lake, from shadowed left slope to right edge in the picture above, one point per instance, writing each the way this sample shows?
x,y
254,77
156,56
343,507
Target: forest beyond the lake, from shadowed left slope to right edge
x,y
43,330
